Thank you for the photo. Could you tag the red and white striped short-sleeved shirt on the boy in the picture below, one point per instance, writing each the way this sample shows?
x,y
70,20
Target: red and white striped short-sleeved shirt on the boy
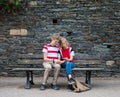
x,y
52,51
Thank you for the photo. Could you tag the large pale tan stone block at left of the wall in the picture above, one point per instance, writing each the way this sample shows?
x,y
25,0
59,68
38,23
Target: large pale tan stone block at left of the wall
x,y
21,32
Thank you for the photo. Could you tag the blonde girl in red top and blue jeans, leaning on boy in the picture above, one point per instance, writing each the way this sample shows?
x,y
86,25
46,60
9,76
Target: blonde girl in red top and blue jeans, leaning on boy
x,y
66,53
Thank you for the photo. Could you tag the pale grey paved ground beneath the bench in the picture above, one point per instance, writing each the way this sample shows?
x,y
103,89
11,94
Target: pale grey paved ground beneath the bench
x,y
101,87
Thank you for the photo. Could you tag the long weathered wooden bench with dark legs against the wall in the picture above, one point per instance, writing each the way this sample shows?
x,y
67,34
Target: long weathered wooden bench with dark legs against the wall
x,y
33,62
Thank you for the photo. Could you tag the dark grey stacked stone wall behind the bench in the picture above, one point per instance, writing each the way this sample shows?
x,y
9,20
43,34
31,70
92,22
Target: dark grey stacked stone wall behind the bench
x,y
91,26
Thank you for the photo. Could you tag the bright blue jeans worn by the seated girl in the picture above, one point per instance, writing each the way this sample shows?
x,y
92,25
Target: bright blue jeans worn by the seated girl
x,y
68,67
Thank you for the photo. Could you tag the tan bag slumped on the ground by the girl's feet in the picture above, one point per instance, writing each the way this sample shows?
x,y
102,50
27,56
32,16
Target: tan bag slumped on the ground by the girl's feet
x,y
79,86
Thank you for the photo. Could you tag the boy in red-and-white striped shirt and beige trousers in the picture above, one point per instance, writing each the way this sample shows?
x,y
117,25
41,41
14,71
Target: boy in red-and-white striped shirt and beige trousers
x,y
50,57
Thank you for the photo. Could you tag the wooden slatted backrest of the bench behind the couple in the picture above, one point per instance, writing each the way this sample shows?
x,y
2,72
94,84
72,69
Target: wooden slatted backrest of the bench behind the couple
x,y
81,60
